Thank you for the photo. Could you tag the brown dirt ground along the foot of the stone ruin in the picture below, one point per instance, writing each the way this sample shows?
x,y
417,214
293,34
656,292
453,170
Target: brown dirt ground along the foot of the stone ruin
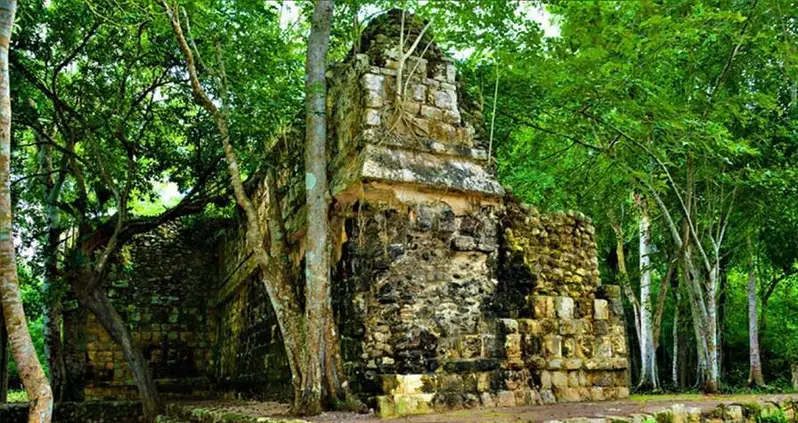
x,y
539,413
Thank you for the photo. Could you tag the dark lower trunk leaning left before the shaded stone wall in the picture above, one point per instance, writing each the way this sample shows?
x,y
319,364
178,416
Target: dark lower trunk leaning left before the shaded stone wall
x,y
97,302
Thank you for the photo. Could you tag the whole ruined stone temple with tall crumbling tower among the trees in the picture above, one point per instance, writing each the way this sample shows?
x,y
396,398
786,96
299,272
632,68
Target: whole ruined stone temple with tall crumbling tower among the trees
x,y
447,291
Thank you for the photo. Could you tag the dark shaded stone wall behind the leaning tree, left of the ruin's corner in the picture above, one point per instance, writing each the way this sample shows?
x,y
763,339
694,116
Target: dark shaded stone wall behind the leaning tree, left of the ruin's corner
x,y
158,284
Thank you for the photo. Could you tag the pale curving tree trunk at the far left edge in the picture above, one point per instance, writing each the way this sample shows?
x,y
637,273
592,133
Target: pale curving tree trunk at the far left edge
x,y
30,370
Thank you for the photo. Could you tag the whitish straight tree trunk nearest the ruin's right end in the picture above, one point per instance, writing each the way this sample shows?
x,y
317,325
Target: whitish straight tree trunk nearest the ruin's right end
x,y
648,358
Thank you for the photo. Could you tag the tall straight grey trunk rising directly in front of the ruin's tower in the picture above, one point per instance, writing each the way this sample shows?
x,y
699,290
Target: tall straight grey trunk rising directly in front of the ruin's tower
x,y
317,265
